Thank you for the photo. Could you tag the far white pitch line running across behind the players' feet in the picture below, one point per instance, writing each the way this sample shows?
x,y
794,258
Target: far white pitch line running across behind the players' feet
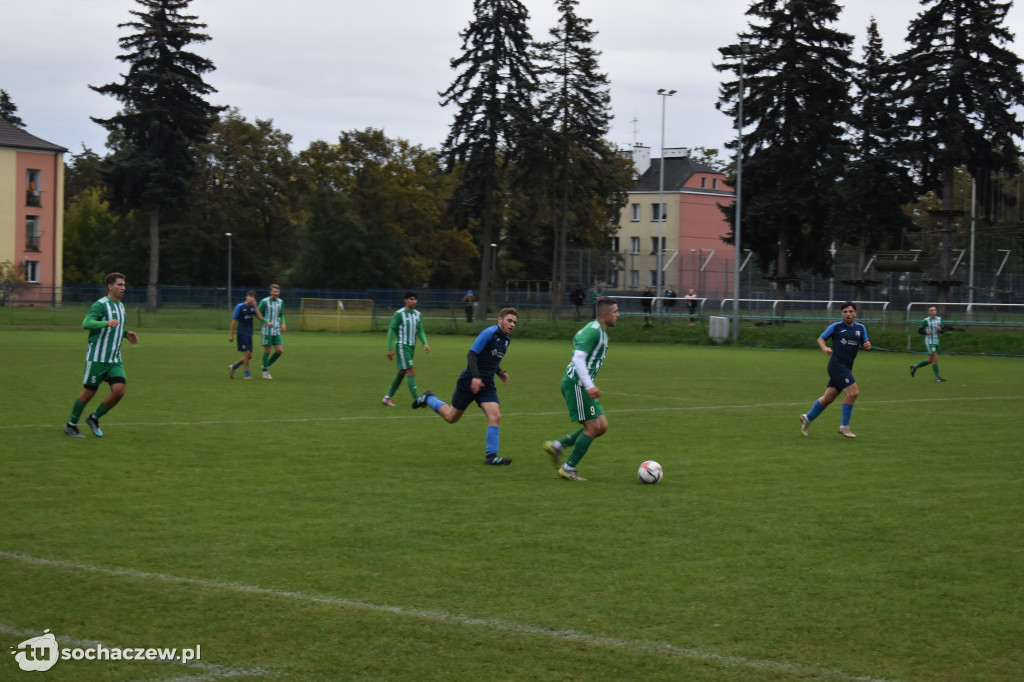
x,y
301,420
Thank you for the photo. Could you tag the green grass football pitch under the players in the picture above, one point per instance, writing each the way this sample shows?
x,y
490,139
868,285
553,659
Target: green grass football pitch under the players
x,y
297,530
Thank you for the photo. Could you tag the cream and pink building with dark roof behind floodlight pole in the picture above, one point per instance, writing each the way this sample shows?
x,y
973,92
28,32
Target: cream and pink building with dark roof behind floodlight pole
x,y
696,258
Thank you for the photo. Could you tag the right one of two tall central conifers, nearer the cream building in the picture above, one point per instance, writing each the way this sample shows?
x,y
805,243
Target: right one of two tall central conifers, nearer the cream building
x,y
575,109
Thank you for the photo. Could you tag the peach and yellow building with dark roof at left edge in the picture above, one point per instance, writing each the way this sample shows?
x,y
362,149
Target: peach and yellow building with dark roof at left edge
x,y
32,212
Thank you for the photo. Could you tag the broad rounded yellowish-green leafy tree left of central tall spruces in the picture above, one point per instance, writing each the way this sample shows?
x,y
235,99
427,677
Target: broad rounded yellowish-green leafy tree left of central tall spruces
x,y
375,211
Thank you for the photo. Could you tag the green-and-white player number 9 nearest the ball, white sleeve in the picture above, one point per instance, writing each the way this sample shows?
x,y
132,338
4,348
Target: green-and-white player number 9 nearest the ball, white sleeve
x,y
589,348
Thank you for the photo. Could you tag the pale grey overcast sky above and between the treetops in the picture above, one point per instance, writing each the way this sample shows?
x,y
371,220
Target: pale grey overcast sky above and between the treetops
x,y
318,69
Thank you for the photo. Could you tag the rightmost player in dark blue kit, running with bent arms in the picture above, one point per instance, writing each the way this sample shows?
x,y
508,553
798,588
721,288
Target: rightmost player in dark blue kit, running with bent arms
x,y
848,336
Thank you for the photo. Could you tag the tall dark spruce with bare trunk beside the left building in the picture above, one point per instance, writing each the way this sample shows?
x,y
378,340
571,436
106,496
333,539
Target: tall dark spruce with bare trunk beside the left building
x,y
164,118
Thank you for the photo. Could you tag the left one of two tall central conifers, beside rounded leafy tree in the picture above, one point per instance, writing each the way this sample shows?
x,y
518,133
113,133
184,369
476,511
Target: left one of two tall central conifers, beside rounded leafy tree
x,y
492,95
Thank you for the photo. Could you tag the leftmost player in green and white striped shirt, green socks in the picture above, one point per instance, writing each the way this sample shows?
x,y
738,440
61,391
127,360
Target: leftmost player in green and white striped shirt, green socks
x,y
106,322
